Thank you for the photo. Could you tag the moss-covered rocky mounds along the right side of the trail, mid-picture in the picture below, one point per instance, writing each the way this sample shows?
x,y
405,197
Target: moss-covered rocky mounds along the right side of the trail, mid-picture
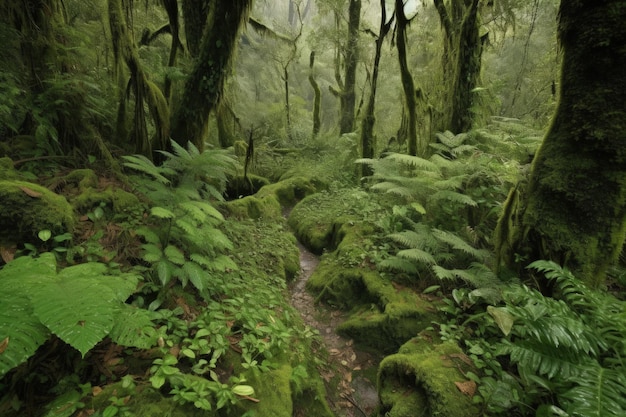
x,y
340,223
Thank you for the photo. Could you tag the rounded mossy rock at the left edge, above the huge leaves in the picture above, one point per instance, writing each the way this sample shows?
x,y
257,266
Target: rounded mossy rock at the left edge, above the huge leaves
x,y
26,208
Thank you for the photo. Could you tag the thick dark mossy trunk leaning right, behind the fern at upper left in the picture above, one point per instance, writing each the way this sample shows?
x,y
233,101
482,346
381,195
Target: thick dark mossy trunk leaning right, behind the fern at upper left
x,y
205,84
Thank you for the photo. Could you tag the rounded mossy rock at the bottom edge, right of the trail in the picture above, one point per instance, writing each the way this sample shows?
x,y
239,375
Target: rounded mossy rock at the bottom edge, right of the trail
x,y
421,380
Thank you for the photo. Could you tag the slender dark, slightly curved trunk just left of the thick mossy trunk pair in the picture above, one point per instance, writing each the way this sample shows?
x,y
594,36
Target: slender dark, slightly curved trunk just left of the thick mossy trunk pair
x,y
407,79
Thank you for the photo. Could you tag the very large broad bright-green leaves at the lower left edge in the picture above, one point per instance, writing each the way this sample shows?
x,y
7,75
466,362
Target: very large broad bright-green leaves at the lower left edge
x,y
80,305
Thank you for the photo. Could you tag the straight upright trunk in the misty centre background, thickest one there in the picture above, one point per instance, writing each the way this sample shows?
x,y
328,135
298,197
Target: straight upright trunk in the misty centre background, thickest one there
x,y
348,95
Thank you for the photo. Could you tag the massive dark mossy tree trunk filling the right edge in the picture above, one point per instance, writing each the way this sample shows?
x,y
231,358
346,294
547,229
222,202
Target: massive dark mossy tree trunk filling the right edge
x,y
573,210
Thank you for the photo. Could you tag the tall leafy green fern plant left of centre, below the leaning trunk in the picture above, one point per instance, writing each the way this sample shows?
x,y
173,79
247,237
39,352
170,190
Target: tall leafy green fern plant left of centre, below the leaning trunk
x,y
183,216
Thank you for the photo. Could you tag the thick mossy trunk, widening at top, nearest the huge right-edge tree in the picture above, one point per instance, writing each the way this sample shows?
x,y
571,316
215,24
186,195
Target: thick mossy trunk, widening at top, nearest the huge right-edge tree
x,y
462,55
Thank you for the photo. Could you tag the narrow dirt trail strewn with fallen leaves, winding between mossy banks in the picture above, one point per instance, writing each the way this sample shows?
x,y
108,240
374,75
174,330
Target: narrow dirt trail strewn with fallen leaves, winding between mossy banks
x,y
356,395
